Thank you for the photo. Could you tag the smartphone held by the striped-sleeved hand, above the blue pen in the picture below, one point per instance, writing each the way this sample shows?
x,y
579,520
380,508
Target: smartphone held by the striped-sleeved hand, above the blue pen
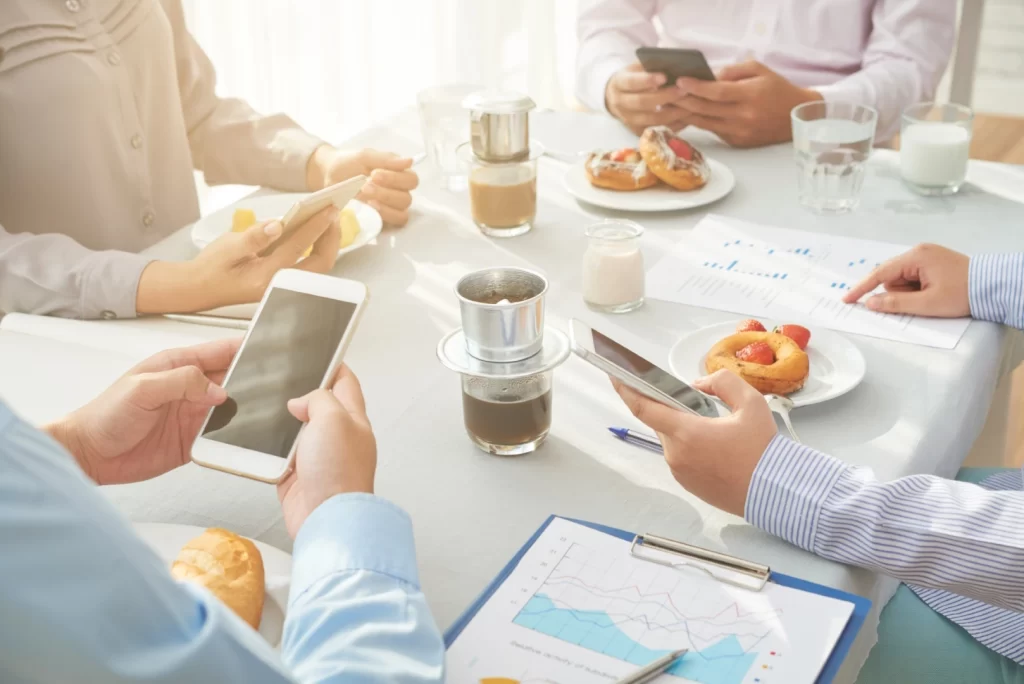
x,y
634,371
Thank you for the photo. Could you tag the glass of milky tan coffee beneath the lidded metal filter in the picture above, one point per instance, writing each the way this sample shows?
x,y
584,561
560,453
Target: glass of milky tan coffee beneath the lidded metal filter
x,y
503,195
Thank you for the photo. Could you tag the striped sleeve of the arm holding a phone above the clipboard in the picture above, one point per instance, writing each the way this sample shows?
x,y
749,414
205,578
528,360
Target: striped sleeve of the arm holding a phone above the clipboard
x,y
922,530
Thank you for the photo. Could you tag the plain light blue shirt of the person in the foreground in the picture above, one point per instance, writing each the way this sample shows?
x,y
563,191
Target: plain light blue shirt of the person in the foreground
x,y
84,601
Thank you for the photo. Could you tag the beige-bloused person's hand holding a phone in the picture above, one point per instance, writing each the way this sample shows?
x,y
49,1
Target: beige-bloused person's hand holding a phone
x,y
237,268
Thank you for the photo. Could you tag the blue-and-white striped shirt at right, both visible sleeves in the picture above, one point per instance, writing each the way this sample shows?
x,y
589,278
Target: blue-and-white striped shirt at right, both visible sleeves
x,y
960,546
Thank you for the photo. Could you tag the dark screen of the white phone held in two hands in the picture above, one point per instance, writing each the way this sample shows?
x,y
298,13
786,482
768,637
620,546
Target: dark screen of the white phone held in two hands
x,y
289,351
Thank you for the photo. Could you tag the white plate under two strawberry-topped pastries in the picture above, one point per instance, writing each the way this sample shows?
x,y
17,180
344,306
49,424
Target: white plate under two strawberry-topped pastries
x,y
660,198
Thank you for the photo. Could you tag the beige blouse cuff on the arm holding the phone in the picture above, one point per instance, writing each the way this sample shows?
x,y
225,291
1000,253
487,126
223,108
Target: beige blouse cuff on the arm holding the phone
x,y
110,287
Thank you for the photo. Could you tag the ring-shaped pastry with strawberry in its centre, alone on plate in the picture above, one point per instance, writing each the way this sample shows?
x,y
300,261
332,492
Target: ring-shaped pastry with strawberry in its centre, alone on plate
x,y
772,363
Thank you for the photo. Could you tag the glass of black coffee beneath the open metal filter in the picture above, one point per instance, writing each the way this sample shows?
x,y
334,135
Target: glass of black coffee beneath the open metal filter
x,y
507,416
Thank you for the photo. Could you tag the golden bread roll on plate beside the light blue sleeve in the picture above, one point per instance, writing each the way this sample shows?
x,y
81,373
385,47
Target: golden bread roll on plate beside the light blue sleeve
x,y
230,567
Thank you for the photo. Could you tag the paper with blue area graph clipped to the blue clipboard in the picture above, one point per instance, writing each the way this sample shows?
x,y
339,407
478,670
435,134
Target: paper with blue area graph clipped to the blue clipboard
x,y
580,610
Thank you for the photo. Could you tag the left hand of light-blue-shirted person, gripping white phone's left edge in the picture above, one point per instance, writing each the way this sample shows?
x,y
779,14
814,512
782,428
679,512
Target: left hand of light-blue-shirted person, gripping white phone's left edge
x,y
145,424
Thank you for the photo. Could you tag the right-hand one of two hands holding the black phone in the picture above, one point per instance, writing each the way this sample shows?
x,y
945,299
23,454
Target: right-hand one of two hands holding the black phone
x,y
749,106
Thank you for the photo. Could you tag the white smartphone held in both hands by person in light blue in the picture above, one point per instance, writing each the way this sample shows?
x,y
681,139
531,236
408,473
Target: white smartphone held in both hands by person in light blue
x,y
294,346
